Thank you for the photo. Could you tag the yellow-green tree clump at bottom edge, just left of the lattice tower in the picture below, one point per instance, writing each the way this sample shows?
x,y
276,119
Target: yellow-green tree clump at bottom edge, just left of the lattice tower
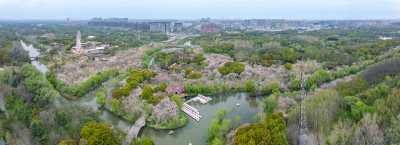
x,y
270,131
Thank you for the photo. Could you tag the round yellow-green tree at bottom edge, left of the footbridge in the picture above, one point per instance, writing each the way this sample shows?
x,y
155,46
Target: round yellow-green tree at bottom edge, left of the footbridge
x,y
98,134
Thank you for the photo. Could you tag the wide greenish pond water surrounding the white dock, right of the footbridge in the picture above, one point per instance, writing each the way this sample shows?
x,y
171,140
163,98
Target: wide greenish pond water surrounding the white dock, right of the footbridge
x,y
196,132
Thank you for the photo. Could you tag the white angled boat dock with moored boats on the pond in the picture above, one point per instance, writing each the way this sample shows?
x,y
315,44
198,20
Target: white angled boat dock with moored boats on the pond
x,y
191,111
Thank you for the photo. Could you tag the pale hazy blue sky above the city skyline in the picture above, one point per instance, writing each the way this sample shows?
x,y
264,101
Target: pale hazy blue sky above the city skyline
x,y
196,9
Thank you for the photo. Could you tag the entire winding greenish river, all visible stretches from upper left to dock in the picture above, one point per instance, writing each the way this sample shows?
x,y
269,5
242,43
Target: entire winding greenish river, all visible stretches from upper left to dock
x,y
194,132
